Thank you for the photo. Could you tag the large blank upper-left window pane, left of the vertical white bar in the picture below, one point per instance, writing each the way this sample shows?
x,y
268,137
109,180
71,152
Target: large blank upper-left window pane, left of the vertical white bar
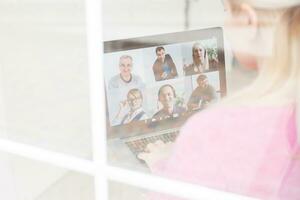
x,y
44,75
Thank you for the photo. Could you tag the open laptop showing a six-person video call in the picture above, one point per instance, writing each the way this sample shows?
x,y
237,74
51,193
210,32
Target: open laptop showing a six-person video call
x,y
154,84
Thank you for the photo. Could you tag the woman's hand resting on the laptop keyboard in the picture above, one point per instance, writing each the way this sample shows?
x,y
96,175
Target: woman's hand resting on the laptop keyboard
x,y
155,152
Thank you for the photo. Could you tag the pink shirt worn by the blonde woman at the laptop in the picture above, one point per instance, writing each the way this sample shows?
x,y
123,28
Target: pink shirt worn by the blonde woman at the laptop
x,y
250,151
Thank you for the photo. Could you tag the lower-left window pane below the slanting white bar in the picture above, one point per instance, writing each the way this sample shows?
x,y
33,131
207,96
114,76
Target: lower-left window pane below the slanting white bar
x,y
27,179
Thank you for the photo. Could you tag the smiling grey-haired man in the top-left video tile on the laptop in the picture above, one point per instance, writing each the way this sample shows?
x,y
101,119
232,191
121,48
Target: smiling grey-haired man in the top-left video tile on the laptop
x,y
125,79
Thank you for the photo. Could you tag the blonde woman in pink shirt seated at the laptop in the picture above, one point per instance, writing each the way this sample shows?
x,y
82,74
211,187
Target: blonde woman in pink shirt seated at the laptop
x,y
249,144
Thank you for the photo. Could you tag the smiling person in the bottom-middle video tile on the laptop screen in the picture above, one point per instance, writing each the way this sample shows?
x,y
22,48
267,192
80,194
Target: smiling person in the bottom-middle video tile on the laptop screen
x,y
166,96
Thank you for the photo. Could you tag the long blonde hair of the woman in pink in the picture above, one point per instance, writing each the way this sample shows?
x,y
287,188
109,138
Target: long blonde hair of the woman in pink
x,y
278,76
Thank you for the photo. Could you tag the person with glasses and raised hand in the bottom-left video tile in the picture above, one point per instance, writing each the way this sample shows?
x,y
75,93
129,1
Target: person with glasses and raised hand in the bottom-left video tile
x,y
134,102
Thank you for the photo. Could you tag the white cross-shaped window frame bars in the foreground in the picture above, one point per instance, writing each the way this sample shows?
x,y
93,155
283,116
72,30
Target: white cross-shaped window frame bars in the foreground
x,y
98,167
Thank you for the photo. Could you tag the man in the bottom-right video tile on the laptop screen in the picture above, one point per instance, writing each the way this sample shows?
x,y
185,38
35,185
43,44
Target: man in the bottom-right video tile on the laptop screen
x,y
203,95
